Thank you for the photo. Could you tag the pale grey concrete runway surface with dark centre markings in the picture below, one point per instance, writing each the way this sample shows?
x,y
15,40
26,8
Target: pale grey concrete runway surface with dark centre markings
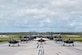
x,y
50,48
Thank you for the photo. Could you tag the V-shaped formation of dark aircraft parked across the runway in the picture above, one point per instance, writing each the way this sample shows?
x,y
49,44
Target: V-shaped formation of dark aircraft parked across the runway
x,y
26,39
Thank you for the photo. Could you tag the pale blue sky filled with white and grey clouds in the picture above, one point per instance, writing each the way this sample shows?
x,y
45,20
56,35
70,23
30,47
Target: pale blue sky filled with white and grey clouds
x,y
41,15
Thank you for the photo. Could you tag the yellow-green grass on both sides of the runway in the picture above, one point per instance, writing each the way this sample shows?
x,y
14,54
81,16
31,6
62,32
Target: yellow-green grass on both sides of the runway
x,y
16,37
